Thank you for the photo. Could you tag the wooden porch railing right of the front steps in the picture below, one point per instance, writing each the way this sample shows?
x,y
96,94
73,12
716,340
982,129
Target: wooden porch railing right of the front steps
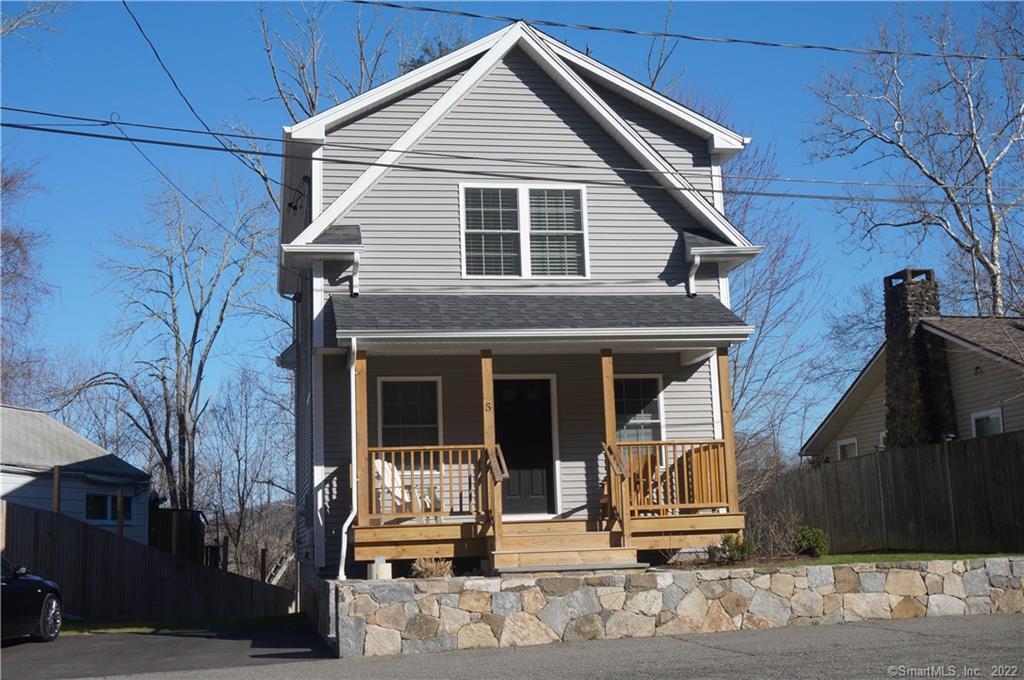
x,y
670,478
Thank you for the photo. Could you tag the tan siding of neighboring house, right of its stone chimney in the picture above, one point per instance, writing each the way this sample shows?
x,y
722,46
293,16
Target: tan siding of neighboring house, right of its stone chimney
x,y
979,385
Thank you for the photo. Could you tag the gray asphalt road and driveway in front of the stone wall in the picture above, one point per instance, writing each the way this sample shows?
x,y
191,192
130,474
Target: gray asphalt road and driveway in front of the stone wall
x,y
849,651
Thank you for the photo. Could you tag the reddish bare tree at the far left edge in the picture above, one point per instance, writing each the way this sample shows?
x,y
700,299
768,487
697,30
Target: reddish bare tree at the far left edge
x,y
23,290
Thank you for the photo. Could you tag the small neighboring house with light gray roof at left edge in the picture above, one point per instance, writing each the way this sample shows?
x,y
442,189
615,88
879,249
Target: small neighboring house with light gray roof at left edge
x,y
33,444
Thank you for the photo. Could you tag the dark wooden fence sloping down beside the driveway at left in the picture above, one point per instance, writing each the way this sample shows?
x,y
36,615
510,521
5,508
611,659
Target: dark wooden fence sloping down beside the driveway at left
x,y
109,578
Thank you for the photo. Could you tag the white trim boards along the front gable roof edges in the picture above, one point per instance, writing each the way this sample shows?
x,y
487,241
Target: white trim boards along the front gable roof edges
x,y
486,54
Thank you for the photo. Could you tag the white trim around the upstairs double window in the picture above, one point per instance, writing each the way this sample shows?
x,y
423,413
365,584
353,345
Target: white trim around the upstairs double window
x,y
523,199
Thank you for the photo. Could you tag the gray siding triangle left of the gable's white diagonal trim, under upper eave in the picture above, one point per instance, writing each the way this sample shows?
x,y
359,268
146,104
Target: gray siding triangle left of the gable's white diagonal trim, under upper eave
x,y
378,130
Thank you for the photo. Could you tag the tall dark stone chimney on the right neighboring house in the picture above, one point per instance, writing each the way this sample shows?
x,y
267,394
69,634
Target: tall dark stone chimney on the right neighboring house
x,y
919,399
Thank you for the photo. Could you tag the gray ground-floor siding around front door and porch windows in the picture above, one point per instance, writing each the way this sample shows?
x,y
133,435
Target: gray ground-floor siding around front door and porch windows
x,y
688,400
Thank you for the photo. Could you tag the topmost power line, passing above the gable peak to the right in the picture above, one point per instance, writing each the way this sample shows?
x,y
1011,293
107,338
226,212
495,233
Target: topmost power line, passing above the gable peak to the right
x,y
685,36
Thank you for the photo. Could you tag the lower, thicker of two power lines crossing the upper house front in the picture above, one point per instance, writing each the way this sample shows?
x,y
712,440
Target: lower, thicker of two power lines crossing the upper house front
x,y
500,176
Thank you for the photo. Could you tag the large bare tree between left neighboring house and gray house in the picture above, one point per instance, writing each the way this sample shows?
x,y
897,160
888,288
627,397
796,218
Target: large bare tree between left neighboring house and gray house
x,y
187,278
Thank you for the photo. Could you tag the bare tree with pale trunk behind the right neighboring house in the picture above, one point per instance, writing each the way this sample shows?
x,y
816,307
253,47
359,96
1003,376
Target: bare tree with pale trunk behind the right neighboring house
x,y
949,133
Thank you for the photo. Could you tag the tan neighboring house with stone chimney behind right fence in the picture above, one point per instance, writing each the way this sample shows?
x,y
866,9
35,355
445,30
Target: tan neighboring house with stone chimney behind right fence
x,y
935,378
